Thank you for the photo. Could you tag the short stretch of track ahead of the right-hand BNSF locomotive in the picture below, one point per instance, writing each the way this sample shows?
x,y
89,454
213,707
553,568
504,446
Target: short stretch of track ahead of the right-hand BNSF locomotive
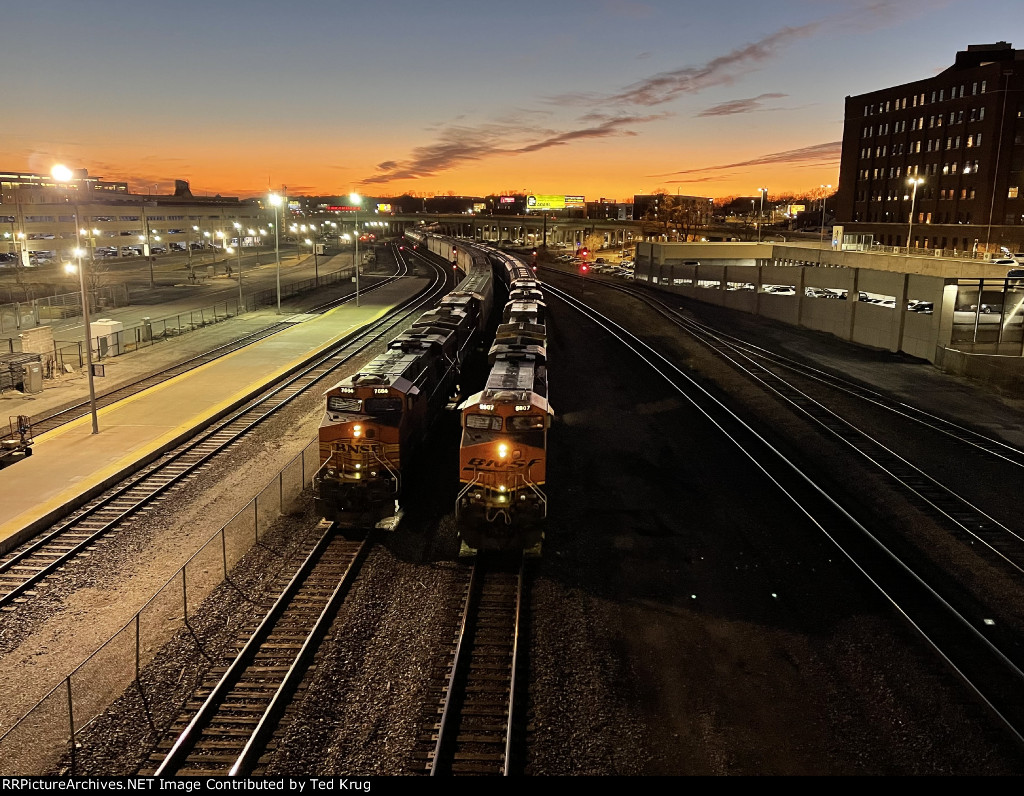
x,y
476,722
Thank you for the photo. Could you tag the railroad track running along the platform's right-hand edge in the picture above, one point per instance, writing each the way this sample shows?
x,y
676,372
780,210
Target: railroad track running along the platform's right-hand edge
x,y
26,567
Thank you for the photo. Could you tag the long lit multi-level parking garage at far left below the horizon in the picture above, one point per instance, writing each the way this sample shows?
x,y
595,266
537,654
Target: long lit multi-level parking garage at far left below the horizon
x,y
42,219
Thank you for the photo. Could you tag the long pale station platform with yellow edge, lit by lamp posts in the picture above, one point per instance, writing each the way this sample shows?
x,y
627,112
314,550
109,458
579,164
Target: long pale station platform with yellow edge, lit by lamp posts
x,y
70,466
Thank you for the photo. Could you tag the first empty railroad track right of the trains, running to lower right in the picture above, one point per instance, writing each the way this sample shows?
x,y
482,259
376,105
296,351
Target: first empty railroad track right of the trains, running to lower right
x,y
987,655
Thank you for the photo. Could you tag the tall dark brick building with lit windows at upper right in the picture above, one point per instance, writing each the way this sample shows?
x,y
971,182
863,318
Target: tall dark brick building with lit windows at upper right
x,y
940,161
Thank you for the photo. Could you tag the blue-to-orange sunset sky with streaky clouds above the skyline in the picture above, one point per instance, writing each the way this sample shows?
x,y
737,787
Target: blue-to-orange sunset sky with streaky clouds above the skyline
x,y
595,98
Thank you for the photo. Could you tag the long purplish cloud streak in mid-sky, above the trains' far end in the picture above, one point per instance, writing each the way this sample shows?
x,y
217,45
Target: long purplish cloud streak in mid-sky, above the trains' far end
x,y
461,145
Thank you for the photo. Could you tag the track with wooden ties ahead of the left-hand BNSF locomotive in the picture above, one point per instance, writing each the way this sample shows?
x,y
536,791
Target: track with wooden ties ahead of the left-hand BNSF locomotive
x,y
230,723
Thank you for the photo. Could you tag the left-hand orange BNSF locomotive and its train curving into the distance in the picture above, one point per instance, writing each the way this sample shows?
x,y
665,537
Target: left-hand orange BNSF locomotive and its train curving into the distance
x,y
376,418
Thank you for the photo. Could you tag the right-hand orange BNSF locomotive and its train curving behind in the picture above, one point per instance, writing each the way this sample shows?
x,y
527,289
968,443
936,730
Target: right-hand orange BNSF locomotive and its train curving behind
x,y
503,455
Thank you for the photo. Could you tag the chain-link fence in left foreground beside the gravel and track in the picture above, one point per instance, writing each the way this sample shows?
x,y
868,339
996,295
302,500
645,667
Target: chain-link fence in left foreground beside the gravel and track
x,y
48,734
